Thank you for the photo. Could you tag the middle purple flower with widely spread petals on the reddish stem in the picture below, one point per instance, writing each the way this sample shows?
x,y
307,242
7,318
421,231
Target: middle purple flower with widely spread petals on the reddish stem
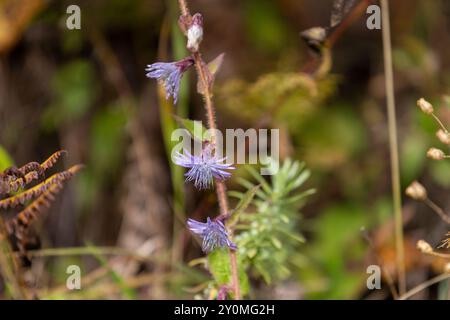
x,y
203,168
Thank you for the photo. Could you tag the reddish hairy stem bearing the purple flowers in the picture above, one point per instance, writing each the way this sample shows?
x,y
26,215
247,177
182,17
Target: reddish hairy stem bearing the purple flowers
x,y
220,185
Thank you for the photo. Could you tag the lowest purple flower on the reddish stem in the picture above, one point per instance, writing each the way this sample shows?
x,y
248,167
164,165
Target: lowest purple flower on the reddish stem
x,y
212,232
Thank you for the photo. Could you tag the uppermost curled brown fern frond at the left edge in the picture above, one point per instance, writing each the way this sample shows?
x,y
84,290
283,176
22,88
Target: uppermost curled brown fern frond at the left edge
x,y
12,179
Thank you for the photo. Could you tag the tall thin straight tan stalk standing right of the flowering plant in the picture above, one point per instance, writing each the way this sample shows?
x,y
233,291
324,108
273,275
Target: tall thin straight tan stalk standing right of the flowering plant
x,y
395,170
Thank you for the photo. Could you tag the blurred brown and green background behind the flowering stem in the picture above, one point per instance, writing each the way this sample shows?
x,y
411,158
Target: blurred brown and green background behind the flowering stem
x,y
85,91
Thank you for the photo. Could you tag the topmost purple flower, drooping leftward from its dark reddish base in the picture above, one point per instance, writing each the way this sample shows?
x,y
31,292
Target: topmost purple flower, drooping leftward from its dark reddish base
x,y
169,73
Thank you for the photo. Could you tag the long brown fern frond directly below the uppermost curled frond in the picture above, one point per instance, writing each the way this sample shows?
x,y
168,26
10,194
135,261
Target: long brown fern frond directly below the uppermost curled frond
x,y
39,189
